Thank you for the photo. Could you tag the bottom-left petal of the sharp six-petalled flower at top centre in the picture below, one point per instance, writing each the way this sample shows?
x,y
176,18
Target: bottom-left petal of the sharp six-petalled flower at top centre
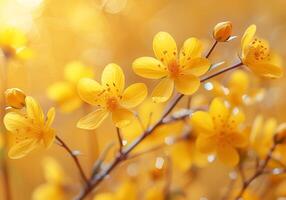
x,y
163,91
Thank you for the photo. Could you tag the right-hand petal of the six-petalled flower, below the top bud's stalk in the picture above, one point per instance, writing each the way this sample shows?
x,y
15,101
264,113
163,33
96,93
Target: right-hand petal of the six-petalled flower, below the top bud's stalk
x,y
197,66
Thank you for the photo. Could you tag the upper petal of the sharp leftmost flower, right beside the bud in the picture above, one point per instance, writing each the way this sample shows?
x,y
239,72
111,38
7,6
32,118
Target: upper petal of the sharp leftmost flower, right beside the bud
x,y
34,111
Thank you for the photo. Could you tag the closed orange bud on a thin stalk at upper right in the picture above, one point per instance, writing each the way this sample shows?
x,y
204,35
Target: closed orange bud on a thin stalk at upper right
x,y
222,31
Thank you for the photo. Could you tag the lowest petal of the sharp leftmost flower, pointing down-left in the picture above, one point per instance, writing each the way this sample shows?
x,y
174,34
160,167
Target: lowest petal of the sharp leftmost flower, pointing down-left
x,y
22,148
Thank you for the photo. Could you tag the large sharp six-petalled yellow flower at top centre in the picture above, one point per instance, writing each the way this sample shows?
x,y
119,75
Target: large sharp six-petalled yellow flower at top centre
x,y
180,71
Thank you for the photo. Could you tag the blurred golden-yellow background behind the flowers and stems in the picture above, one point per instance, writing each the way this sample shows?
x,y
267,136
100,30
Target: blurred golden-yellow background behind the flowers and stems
x,y
99,32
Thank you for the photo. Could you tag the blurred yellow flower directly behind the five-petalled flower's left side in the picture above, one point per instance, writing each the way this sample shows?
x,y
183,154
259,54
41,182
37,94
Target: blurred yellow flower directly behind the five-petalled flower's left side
x,y
64,93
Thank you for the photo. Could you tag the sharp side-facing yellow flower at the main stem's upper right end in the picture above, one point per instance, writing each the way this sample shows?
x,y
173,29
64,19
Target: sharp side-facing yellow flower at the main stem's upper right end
x,y
256,54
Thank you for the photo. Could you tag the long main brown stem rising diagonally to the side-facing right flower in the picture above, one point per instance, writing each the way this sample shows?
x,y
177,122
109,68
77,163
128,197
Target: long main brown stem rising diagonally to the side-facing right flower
x,y
125,152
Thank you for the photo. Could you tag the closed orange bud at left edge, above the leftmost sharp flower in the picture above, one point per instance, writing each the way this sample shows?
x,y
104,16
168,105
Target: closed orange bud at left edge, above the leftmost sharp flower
x,y
15,98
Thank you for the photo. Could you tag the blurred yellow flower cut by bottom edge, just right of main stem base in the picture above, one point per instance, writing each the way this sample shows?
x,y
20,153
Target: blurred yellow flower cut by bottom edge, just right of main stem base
x,y
127,190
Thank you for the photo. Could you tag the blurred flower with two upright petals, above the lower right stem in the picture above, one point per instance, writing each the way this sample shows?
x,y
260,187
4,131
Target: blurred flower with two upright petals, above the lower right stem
x,y
261,135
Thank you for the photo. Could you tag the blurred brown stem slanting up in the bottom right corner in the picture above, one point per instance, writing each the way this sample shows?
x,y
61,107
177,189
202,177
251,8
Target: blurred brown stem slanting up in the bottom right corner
x,y
258,172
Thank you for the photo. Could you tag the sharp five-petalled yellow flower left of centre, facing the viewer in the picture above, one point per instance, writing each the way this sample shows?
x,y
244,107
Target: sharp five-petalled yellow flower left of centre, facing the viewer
x,y
110,97
